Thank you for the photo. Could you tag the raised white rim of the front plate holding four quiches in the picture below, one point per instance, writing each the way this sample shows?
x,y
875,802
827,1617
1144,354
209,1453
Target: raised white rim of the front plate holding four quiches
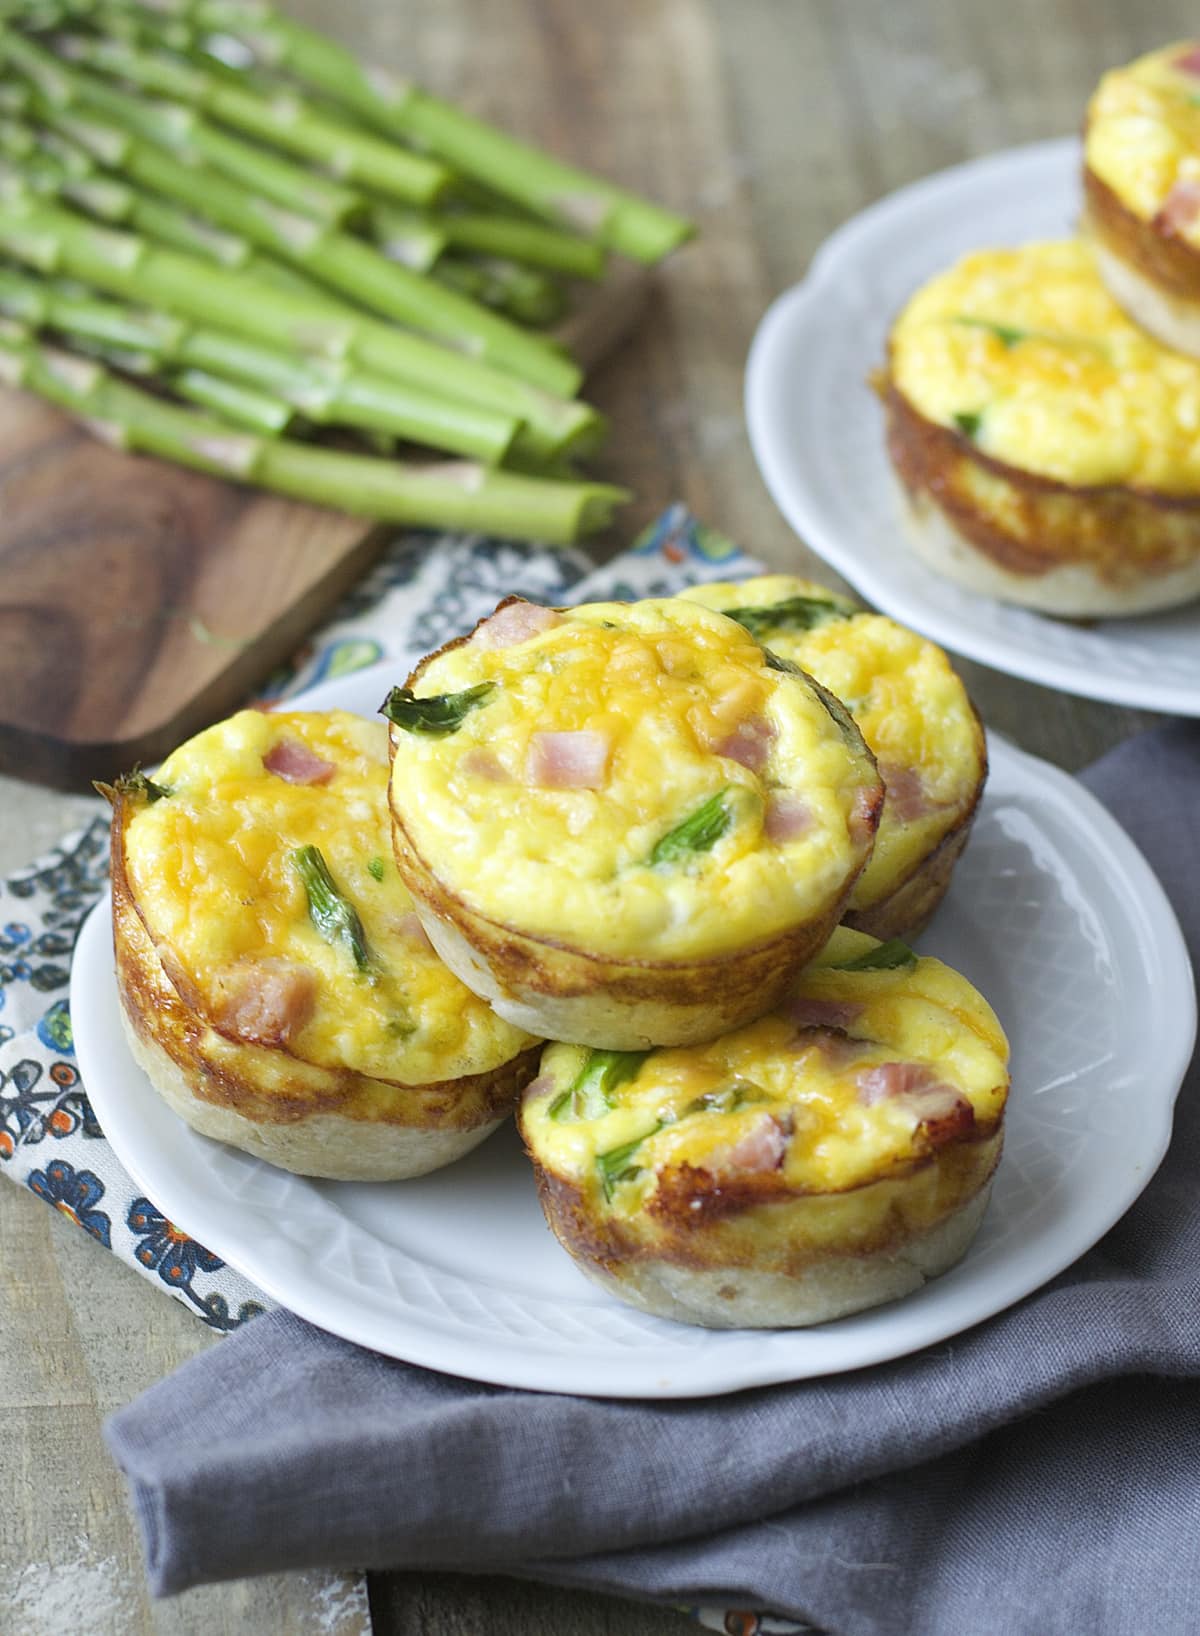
x,y
692,1372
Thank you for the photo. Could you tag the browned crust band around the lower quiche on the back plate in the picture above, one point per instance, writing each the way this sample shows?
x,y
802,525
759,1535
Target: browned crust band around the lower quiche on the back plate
x,y
1117,539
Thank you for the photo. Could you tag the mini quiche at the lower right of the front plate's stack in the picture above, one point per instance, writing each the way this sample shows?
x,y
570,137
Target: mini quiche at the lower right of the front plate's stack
x,y
821,1161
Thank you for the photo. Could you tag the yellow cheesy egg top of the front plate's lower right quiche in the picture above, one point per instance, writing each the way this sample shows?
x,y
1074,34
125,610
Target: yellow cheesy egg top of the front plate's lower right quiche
x,y
693,1107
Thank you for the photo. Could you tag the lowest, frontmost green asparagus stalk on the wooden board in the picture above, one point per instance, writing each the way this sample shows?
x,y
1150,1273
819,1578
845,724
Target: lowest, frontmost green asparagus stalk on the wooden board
x,y
454,495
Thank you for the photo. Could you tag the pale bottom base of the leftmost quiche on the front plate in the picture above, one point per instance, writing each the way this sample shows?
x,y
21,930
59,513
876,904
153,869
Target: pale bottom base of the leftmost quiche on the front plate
x,y
325,1146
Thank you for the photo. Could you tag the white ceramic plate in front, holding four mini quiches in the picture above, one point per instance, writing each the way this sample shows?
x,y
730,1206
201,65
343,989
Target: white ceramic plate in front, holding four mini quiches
x,y
1053,915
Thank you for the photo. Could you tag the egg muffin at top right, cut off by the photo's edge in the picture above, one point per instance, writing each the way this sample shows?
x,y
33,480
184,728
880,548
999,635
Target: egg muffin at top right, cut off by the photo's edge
x,y
1142,191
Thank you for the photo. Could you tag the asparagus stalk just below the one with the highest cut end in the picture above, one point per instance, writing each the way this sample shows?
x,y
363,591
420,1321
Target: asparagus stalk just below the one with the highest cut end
x,y
187,137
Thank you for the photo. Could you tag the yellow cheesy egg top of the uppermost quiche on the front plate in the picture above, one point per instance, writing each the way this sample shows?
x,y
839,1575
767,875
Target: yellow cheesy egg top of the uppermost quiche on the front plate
x,y
661,686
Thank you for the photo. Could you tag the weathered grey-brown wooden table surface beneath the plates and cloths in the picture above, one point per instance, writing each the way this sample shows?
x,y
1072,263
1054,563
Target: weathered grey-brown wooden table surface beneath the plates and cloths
x,y
772,122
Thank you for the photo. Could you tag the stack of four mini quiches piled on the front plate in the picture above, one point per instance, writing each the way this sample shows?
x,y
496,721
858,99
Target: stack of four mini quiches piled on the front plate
x,y
683,842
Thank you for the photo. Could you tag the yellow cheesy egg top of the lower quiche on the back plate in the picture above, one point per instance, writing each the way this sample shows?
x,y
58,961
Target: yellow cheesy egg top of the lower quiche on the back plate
x,y
1026,354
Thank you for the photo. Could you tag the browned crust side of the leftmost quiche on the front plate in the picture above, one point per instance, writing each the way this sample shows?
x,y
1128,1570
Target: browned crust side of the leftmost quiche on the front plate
x,y
264,1084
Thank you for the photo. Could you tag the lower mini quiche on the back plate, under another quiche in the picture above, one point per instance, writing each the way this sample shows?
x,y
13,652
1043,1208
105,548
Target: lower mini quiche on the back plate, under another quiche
x,y
1047,446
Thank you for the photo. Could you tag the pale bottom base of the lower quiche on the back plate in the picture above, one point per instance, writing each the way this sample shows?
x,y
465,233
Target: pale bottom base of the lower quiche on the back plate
x,y
1073,591
